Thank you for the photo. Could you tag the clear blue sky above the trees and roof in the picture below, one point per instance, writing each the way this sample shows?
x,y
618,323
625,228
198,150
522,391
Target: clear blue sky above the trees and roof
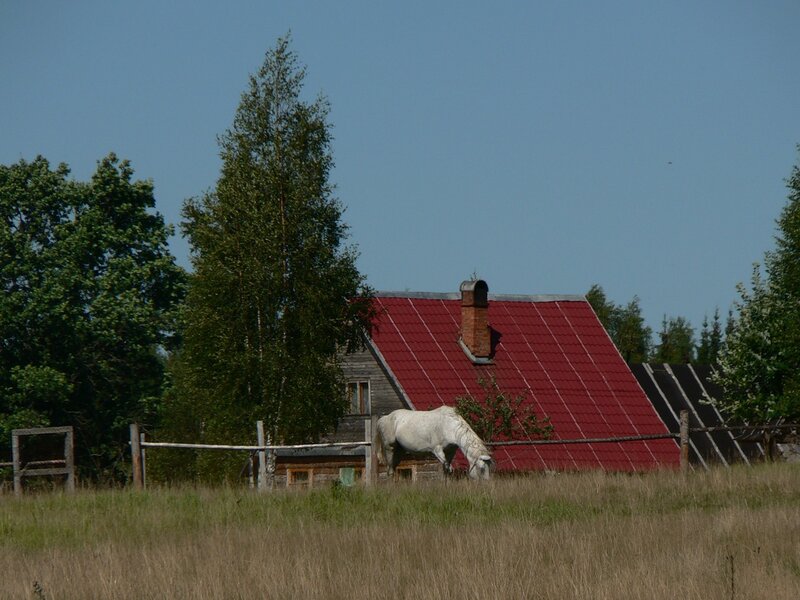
x,y
546,146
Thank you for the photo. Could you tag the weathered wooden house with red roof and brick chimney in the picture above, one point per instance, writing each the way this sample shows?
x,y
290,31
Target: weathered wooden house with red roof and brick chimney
x,y
427,349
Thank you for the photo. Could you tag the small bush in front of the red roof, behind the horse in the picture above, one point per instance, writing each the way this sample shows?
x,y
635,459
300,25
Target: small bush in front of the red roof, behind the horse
x,y
498,415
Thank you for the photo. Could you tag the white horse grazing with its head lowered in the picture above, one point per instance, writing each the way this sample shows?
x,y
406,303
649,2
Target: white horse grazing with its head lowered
x,y
441,431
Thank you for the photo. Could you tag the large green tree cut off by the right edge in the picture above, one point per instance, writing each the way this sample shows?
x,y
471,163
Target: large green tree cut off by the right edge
x,y
759,369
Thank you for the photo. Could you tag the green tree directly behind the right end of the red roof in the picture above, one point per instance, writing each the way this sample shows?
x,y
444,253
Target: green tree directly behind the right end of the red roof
x,y
624,324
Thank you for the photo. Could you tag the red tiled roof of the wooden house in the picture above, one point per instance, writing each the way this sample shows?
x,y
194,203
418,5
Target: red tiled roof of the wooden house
x,y
553,351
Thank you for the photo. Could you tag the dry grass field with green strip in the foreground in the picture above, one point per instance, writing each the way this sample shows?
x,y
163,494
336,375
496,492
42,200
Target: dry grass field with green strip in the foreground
x,y
730,533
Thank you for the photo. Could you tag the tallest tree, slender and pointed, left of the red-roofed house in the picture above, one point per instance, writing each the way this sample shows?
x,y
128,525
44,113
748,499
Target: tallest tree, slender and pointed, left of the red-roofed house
x,y
275,292
